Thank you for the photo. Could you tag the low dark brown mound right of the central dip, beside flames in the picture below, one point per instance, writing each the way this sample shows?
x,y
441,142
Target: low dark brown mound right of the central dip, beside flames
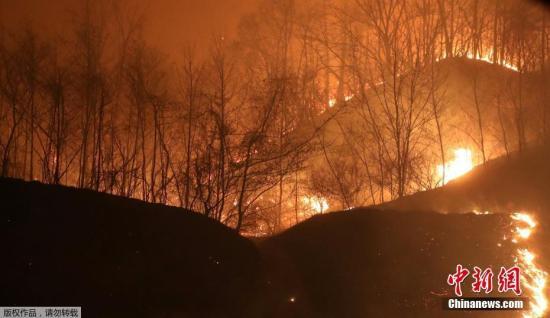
x,y
370,263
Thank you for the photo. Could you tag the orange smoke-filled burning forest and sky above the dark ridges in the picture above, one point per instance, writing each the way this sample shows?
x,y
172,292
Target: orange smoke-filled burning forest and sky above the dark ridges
x,y
261,114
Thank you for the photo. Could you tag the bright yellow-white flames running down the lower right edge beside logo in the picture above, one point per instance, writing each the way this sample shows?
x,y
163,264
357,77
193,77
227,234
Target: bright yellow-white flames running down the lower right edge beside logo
x,y
533,278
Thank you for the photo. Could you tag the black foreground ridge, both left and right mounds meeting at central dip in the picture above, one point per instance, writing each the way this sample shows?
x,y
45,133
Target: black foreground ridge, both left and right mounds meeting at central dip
x,y
119,257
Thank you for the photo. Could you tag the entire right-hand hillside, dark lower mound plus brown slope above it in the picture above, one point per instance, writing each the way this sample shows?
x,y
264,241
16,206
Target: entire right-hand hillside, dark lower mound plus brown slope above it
x,y
392,260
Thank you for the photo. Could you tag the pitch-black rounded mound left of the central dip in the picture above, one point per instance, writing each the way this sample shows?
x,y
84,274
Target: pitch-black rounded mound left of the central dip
x,y
111,255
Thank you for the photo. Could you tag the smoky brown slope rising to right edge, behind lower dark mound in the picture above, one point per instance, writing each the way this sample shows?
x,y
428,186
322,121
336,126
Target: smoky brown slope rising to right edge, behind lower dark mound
x,y
516,182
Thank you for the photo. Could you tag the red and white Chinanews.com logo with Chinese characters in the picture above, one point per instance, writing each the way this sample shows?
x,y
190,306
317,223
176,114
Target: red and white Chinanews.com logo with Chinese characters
x,y
481,282
